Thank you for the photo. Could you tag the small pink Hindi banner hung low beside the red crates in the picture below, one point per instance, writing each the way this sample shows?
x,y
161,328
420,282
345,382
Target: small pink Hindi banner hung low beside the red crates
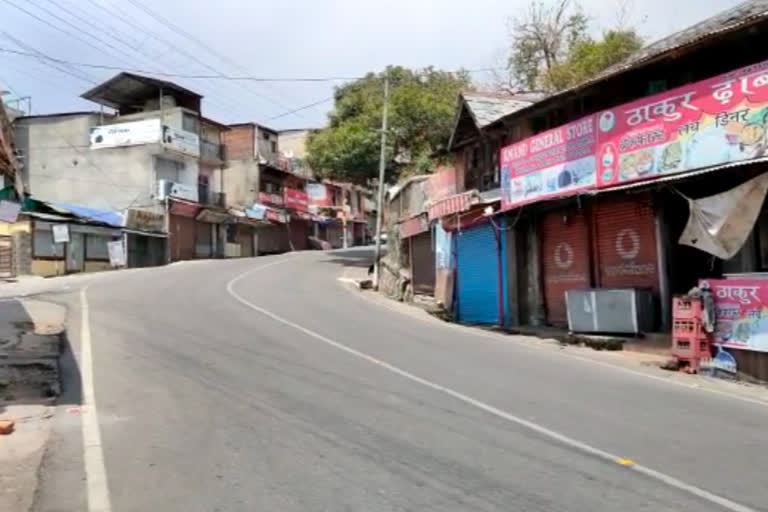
x,y
741,312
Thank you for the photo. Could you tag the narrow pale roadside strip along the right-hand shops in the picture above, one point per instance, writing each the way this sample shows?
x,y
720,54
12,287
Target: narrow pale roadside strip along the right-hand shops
x,y
634,358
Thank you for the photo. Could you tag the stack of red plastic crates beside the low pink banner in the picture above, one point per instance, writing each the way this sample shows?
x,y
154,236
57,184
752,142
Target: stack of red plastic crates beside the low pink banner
x,y
690,342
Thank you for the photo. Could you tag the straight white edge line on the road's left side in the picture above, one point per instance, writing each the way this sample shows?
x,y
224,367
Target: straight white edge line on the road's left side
x,y
95,471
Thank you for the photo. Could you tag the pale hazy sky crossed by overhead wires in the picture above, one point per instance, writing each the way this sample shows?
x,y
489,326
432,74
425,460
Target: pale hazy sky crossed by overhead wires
x,y
278,39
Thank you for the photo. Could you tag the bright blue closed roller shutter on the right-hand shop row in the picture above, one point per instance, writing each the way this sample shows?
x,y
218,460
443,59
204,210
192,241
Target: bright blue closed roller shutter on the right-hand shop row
x,y
477,269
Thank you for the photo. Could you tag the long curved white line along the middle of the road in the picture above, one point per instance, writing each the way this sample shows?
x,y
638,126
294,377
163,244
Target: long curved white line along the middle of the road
x,y
535,427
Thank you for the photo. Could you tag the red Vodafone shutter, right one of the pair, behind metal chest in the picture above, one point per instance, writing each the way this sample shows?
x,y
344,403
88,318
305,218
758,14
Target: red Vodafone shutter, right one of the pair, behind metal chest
x,y
626,243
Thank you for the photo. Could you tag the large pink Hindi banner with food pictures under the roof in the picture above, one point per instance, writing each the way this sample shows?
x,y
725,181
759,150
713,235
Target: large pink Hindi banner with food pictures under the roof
x,y
712,122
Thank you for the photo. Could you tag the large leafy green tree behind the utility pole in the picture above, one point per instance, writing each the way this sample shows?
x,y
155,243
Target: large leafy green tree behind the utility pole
x,y
422,106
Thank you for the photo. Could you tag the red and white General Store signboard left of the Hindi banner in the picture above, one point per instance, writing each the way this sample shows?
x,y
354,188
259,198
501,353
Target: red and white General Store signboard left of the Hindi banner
x,y
554,163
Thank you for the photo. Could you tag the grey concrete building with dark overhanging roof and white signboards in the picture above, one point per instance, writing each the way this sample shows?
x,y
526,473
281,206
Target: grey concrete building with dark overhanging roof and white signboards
x,y
156,153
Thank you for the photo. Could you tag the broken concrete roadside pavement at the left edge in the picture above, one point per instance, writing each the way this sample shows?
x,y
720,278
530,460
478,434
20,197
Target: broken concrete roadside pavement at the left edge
x,y
31,337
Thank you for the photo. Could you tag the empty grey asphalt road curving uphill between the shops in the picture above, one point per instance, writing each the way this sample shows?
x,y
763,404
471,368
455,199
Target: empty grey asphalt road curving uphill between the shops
x,y
266,385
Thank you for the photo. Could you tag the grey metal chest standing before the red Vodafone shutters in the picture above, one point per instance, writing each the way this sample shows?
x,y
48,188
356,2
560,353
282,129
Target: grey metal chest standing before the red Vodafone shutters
x,y
610,310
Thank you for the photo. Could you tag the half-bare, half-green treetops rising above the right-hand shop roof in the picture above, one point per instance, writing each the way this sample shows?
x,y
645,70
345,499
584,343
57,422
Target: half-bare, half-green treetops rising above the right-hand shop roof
x,y
552,49
